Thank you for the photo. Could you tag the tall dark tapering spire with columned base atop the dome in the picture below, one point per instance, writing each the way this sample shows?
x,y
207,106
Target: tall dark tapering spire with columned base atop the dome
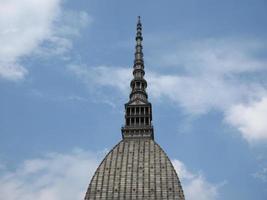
x,y
138,111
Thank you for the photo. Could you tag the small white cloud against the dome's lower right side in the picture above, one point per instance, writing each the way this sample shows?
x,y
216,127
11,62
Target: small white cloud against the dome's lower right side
x,y
195,186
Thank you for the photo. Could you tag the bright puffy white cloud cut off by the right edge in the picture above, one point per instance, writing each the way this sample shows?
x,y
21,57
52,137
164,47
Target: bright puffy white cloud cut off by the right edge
x,y
250,119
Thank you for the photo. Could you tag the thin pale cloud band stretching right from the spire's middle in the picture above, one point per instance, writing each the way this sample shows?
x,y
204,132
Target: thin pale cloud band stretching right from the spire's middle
x,y
195,94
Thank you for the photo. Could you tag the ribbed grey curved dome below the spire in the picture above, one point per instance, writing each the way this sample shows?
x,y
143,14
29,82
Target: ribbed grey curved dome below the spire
x,y
135,169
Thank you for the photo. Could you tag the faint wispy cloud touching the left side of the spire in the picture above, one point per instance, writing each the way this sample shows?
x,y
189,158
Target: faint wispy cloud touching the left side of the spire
x,y
106,83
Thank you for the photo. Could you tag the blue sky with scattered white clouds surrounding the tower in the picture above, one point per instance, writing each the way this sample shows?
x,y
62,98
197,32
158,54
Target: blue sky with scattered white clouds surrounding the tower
x,y
65,70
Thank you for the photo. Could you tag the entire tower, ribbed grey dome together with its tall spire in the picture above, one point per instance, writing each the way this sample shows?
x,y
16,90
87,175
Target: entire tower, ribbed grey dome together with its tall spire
x,y
137,167
